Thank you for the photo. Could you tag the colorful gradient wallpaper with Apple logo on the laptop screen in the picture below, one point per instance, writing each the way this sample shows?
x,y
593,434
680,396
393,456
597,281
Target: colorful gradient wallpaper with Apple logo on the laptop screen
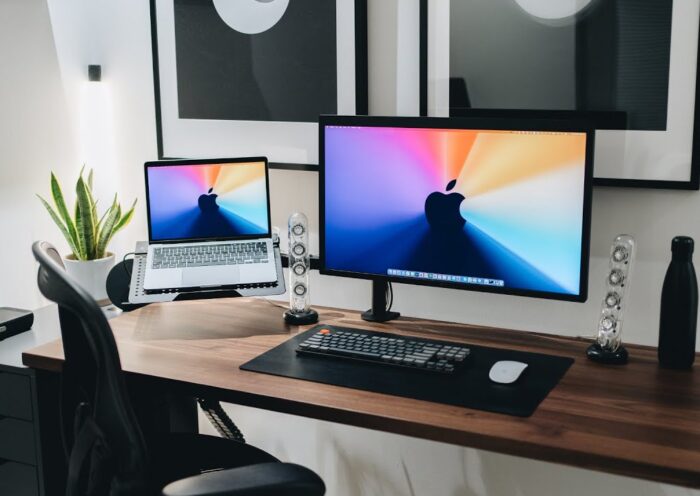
x,y
207,201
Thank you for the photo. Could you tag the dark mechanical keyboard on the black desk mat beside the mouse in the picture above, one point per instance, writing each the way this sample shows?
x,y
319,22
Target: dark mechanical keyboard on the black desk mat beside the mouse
x,y
386,349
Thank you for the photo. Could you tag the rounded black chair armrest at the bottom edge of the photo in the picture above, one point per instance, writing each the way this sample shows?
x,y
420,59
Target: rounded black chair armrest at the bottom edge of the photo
x,y
262,479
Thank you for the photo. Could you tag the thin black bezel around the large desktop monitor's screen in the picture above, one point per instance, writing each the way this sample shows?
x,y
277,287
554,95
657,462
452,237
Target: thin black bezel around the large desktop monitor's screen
x,y
497,122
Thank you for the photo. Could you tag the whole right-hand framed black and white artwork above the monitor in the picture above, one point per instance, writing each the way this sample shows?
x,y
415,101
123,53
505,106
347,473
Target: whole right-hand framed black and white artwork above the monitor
x,y
631,64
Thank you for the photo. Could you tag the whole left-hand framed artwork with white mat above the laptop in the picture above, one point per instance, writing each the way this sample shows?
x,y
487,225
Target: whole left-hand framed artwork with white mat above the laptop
x,y
250,77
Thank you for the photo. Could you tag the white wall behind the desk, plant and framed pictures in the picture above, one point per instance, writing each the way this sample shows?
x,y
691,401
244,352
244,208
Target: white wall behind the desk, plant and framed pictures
x,y
351,460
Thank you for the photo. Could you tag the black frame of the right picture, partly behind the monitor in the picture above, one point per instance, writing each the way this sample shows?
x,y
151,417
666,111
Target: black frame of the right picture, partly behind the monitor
x,y
693,181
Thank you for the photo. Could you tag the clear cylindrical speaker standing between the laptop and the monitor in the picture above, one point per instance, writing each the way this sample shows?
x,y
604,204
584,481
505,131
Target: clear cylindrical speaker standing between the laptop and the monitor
x,y
300,311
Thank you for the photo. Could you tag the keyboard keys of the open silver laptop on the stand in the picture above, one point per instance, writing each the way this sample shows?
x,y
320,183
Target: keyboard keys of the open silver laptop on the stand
x,y
177,257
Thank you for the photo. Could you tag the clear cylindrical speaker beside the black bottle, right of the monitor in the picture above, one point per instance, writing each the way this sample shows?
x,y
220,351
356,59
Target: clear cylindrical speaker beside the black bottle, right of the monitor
x,y
608,345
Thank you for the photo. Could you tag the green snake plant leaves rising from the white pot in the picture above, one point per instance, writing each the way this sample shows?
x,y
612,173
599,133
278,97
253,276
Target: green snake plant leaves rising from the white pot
x,y
87,235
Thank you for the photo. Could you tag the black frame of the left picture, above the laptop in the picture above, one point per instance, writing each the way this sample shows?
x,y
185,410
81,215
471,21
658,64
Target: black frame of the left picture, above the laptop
x,y
360,78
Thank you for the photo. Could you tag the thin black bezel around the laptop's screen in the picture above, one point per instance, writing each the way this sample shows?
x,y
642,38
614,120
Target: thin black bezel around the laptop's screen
x,y
205,161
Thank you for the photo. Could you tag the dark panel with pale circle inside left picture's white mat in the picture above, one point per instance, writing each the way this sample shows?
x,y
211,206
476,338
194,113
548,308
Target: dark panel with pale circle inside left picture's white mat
x,y
274,71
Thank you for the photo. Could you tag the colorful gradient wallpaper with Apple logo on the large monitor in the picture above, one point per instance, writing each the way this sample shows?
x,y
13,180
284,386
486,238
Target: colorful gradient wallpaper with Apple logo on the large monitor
x,y
502,205
